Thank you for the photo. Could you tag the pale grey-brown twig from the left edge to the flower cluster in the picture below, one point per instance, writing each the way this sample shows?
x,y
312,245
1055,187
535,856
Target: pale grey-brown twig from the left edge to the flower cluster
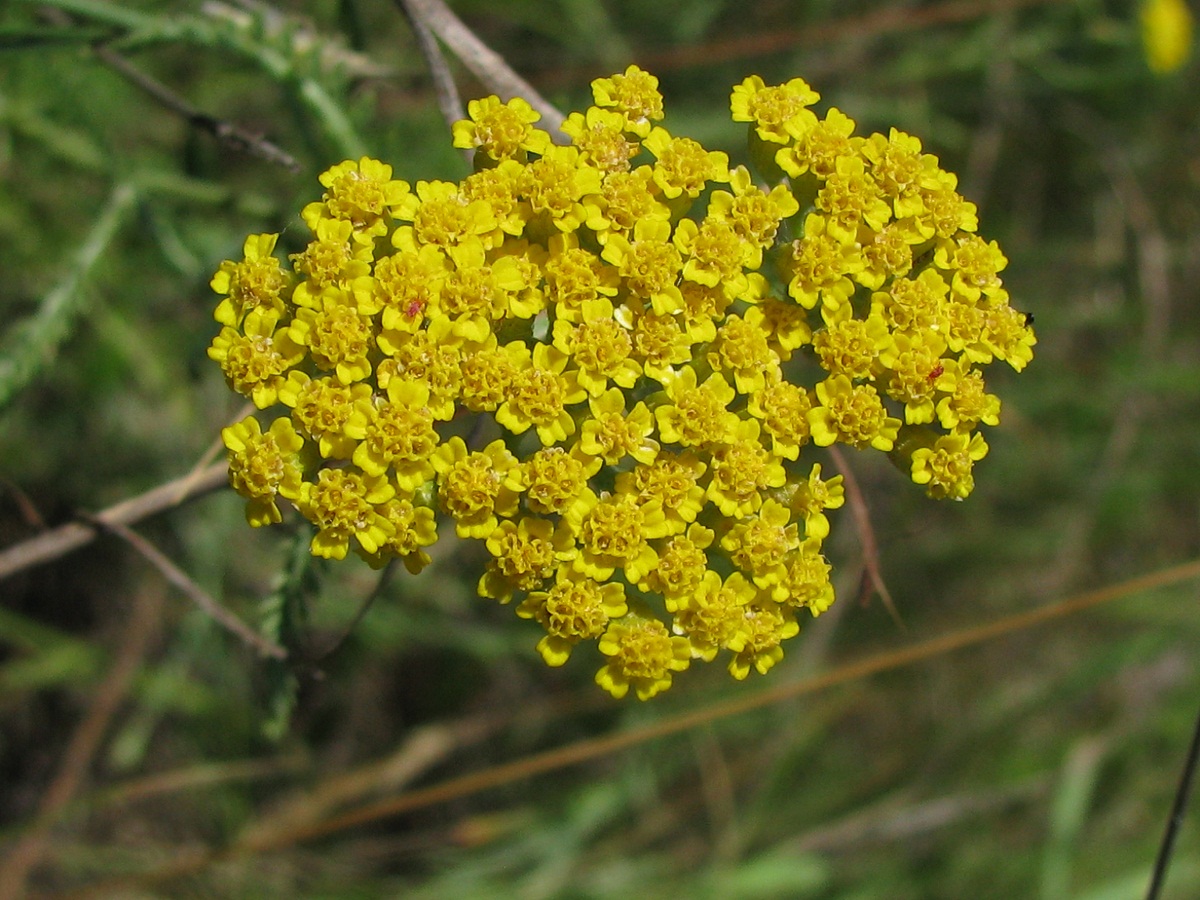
x,y
62,541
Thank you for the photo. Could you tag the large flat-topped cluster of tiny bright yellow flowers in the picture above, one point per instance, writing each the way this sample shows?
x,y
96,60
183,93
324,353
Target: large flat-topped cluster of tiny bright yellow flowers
x,y
605,358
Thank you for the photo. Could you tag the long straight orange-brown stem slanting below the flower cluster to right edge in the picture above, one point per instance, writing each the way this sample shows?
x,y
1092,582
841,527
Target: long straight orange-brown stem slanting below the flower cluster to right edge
x,y
605,747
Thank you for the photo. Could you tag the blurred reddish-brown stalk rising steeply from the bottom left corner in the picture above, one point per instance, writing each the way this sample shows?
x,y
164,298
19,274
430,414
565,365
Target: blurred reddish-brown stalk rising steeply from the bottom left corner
x,y
33,847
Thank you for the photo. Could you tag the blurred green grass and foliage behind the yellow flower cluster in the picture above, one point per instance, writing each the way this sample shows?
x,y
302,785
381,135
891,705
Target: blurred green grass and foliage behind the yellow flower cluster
x,y
1041,765
